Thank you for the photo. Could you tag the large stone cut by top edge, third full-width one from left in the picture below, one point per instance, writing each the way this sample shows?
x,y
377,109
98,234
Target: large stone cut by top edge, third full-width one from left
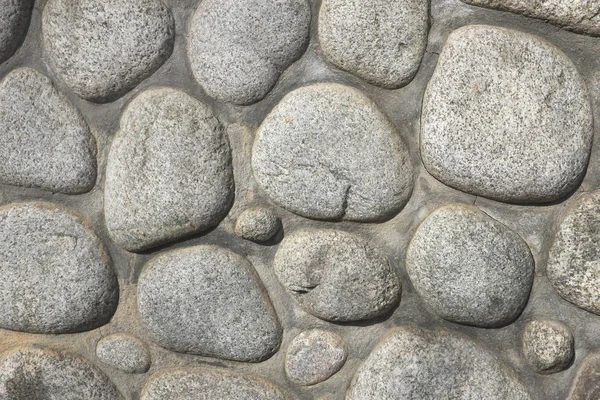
x,y
381,41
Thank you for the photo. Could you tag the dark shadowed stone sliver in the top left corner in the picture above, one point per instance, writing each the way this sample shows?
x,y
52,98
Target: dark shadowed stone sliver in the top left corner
x,y
14,20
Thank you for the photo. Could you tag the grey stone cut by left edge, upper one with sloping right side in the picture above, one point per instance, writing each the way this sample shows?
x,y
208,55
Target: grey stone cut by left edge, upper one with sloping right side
x,y
45,141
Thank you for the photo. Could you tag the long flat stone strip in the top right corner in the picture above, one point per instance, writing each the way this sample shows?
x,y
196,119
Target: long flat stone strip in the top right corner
x,y
580,16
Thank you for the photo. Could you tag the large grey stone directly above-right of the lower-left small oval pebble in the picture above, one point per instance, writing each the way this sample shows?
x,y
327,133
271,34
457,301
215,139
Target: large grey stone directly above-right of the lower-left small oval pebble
x,y
209,301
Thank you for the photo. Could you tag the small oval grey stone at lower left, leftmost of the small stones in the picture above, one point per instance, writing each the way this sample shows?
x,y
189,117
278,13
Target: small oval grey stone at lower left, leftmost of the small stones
x,y
124,352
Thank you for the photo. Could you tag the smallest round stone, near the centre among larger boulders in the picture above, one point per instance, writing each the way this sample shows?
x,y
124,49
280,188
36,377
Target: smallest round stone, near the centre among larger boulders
x,y
257,224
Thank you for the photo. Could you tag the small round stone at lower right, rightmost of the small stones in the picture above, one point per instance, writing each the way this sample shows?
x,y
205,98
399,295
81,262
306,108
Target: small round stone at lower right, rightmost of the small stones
x,y
548,346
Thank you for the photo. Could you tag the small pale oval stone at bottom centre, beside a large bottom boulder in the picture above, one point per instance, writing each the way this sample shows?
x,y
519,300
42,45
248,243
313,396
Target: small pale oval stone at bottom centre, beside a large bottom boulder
x,y
314,356
